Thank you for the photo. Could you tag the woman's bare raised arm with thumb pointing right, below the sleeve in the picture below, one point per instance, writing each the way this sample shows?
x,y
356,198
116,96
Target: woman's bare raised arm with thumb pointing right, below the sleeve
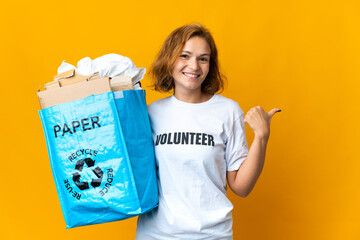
x,y
242,181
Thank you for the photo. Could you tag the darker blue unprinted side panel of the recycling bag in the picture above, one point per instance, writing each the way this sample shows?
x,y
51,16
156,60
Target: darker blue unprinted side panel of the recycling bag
x,y
134,118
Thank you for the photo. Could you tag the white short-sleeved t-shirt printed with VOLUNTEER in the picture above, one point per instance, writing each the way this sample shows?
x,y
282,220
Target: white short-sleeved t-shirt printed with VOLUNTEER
x,y
195,145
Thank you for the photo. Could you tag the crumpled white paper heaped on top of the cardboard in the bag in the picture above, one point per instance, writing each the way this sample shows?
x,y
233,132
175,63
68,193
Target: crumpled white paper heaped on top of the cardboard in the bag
x,y
110,65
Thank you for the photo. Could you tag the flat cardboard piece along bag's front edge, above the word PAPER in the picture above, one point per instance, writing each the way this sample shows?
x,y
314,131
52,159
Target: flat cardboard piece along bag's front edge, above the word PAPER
x,y
75,91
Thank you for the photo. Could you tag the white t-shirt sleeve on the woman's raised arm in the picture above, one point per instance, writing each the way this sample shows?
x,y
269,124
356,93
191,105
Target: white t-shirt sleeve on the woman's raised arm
x,y
236,145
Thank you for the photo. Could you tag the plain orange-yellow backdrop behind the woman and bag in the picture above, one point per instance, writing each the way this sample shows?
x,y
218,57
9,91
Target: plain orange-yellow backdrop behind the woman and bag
x,y
300,56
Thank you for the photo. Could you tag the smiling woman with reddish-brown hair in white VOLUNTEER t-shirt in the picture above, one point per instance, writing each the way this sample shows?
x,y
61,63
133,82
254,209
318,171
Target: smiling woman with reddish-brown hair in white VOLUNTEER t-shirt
x,y
199,142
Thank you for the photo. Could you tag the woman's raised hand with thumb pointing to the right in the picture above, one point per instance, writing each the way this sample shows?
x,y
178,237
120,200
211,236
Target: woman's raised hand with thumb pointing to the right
x,y
259,120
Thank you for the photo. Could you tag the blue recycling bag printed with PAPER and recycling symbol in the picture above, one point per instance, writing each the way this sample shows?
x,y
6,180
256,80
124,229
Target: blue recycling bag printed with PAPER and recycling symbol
x,y
102,157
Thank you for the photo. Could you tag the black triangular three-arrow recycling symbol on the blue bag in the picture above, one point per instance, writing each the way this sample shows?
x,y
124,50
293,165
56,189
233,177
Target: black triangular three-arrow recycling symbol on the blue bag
x,y
79,167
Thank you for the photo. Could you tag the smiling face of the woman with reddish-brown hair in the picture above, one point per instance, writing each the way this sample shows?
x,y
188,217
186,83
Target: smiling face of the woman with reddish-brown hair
x,y
192,66
